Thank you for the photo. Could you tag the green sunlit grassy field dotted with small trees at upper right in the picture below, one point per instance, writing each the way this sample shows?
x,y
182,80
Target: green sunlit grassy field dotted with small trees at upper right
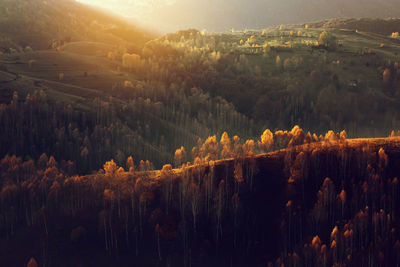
x,y
346,61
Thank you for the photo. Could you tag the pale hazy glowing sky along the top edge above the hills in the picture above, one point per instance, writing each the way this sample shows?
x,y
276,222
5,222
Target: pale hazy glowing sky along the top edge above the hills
x,y
222,15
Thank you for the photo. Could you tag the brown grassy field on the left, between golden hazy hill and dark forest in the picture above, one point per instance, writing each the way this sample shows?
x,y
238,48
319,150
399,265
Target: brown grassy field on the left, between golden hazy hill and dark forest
x,y
72,71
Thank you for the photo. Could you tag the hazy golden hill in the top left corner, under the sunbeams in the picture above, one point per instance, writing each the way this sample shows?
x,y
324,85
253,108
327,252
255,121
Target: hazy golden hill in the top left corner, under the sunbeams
x,y
43,24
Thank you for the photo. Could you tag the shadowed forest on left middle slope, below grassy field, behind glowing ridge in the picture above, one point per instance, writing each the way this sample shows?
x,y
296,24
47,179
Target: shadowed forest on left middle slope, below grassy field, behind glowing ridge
x,y
32,125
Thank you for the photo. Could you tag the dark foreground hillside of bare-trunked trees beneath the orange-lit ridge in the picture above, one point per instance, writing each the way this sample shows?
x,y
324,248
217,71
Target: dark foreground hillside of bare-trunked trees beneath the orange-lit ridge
x,y
276,208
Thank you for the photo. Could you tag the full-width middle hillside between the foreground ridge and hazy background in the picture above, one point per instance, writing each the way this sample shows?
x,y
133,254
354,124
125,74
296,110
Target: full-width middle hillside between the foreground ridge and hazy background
x,y
110,102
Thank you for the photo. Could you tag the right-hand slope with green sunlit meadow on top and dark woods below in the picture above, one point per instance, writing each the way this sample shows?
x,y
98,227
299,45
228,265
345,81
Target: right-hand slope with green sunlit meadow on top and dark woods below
x,y
283,76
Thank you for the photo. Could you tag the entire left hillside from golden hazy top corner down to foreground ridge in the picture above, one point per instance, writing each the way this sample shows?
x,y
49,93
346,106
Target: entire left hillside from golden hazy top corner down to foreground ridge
x,y
101,107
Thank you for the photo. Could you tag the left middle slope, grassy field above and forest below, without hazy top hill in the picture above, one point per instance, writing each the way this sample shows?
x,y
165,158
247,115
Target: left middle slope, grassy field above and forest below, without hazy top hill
x,y
81,79
